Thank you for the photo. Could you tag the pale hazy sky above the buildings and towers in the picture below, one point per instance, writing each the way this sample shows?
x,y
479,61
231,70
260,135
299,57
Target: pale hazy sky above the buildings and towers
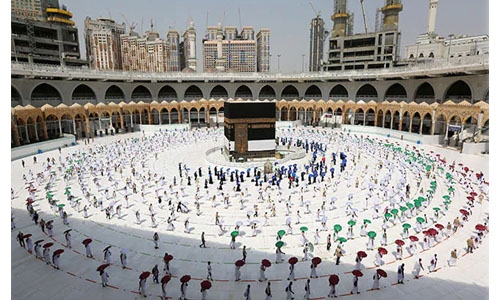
x,y
289,20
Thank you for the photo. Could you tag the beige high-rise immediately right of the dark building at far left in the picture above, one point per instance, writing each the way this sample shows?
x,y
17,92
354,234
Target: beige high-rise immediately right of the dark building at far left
x,y
102,42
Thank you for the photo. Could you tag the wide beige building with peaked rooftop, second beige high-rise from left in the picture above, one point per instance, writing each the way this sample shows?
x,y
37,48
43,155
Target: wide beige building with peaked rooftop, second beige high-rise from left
x,y
144,54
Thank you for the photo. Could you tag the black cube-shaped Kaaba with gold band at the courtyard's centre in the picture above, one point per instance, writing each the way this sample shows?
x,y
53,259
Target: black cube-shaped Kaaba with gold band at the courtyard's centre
x,y
250,129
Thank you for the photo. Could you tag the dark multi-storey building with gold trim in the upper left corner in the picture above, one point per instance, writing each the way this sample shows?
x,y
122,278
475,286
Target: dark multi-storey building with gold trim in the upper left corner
x,y
43,32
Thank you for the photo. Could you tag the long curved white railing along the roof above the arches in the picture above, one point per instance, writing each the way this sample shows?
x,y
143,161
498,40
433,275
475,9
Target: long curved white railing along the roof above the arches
x,y
436,66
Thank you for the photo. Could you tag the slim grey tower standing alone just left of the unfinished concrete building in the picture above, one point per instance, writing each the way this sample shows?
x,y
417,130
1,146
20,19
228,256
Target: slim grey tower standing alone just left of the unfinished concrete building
x,y
316,44
